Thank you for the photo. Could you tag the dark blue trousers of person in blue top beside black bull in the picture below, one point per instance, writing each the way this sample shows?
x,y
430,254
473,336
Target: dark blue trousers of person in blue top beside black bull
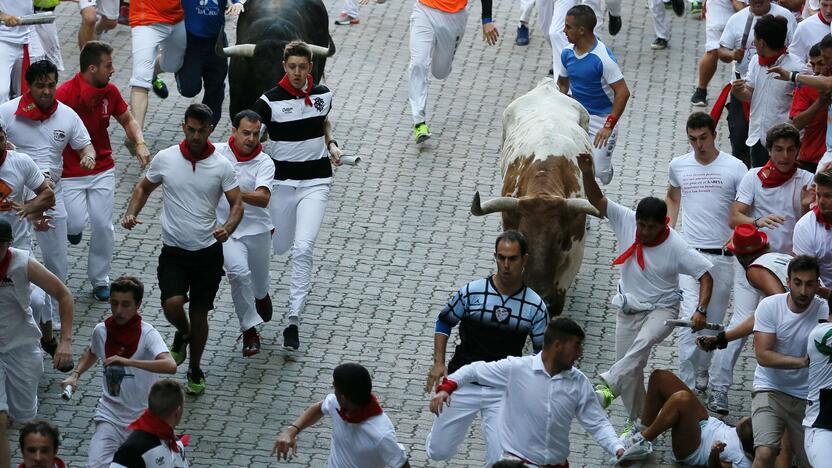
x,y
202,65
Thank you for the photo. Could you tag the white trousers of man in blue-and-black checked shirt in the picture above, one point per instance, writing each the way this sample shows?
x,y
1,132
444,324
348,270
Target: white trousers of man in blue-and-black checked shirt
x,y
451,426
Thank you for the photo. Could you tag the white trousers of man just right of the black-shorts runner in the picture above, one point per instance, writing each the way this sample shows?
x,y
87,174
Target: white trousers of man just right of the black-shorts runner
x,y
246,262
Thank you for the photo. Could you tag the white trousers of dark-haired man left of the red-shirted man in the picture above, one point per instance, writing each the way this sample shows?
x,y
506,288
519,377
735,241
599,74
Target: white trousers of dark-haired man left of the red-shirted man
x,y
53,248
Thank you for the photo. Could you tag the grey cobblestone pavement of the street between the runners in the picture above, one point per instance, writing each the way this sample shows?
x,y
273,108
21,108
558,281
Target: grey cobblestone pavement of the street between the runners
x,y
397,239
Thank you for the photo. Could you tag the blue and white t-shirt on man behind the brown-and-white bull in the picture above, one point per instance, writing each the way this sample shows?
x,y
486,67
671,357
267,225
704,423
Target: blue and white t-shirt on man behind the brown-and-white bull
x,y
590,76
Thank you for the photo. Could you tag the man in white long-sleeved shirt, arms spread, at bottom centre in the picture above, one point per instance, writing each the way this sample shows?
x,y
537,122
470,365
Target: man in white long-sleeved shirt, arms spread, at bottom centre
x,y
542,394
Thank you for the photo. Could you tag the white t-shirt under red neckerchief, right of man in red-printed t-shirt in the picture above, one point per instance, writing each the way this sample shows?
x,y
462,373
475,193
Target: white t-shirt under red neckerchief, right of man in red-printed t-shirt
x,y
783,200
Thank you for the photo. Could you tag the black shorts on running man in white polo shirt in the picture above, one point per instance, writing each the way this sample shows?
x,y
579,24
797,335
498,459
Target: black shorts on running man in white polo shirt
x,y
195,274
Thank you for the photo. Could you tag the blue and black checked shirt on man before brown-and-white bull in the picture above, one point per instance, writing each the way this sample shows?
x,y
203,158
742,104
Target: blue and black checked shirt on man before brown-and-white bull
x,y
492,326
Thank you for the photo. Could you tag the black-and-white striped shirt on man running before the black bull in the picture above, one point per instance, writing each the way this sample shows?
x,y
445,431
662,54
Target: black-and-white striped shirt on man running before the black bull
x,y
296,134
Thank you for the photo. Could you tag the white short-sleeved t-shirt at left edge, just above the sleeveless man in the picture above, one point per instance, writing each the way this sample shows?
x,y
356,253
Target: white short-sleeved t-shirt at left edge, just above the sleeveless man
x,y
18,174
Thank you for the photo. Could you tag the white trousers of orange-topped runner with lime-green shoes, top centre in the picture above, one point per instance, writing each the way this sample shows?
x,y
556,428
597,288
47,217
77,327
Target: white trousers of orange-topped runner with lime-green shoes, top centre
x,y
434,37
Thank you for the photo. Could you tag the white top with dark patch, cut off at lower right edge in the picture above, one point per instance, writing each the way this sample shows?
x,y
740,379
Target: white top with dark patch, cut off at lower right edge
x,y
819,349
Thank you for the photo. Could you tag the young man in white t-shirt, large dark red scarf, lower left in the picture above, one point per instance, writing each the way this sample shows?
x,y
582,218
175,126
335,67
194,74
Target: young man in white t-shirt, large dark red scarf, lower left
x,y
133,353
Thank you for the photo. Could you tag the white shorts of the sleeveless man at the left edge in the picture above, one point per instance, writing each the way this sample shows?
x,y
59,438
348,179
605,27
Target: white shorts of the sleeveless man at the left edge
x,y
20,371
